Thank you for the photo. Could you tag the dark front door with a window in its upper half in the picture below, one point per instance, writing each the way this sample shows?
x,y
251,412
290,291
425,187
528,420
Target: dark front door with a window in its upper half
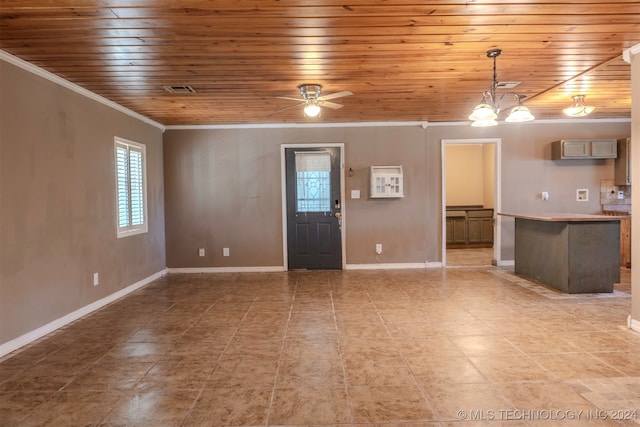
x,y
314,239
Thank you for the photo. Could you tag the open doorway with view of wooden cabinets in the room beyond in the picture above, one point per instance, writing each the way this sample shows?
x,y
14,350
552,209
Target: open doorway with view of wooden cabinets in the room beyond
x,y
470,202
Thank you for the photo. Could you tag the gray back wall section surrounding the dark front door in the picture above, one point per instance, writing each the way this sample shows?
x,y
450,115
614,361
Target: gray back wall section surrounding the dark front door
x,y
211,176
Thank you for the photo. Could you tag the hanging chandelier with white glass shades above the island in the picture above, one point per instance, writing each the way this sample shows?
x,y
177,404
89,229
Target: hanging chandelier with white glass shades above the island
x,y
486,113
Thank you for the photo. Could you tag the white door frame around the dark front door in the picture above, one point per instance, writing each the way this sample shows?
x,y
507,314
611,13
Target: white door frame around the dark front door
x,y
283,182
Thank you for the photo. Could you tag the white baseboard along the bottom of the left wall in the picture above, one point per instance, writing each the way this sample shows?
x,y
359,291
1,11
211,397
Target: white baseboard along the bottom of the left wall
x,y
29,337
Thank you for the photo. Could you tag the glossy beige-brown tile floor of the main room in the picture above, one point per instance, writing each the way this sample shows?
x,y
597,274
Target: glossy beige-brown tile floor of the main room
x,y
453,347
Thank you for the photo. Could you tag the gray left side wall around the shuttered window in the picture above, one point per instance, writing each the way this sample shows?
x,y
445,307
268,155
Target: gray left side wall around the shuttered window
x,y
57,209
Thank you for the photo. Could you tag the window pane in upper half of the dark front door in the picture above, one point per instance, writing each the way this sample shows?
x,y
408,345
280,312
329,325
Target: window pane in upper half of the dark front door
x,y
313,182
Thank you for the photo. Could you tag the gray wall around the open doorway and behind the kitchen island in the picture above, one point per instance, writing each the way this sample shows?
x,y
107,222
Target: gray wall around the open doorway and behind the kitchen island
x,y
527,169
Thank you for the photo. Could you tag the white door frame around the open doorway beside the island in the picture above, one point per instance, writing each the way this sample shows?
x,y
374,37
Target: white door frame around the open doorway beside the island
x,y
497,188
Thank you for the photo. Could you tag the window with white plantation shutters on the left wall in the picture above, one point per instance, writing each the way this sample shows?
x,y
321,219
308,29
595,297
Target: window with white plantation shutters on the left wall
x,y
131,191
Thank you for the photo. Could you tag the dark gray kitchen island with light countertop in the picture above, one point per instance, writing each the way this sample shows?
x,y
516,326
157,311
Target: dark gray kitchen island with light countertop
x,y
573,253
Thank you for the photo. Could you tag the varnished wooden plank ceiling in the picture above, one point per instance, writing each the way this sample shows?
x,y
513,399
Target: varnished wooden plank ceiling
x,y
403,60
